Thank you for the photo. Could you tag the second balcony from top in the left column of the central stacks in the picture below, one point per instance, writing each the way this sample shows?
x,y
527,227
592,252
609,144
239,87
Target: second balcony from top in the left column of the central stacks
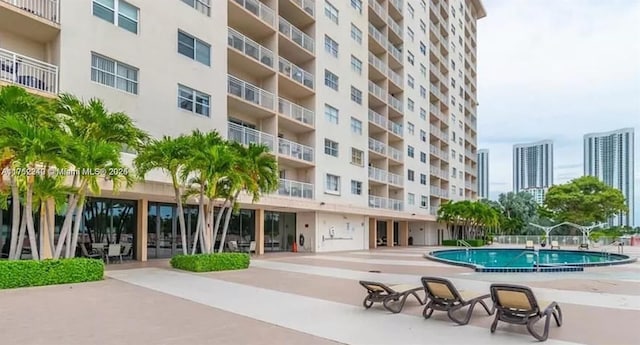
x,y
246,53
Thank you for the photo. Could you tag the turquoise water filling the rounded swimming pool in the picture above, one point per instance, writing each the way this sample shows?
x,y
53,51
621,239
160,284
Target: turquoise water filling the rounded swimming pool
x,y
521,258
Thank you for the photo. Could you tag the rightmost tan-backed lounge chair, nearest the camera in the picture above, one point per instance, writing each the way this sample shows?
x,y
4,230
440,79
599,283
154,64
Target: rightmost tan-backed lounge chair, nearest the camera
x,y
517,305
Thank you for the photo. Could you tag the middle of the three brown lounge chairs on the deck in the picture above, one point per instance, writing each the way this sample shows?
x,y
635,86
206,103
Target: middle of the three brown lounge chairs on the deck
x,y
443,296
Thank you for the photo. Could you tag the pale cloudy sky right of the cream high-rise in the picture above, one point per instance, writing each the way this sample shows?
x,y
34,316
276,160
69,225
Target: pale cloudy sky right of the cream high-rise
x,y
556,69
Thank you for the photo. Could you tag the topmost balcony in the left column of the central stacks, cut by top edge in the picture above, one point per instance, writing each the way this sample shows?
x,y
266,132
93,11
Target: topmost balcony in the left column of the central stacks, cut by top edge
x,y
252,17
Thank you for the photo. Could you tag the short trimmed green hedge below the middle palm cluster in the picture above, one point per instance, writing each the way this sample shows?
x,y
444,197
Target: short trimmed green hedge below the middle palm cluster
x,y
211,262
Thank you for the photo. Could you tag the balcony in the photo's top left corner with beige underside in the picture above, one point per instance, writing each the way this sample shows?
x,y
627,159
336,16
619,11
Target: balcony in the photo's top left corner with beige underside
x,y
38,20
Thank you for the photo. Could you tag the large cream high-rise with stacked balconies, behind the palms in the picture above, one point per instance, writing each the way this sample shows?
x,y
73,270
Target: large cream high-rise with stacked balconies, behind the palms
x,y
369,106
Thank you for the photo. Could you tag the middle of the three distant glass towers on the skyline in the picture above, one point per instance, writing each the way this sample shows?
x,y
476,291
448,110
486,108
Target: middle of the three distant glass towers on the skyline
x,y
533,165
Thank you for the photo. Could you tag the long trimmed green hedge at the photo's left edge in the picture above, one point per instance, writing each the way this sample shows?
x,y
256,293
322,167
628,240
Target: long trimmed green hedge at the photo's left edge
x,y
24,273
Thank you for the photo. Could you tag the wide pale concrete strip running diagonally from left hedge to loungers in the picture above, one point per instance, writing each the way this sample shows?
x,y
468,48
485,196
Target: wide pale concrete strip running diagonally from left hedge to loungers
x,y
336,321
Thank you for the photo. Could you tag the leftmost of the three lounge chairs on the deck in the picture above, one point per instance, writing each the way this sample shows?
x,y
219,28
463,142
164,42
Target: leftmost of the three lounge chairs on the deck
x,y
392,297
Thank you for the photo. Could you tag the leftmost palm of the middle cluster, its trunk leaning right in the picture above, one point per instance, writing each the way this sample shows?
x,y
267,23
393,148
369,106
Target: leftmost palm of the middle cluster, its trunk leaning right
x,y
171,155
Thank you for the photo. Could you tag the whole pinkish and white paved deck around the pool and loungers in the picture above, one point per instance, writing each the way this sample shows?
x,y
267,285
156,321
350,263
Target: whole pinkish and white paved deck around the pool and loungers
x,y
308,298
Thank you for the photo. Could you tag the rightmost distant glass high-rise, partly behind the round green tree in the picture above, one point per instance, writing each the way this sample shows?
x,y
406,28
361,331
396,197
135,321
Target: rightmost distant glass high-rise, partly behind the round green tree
x,y
609,157
